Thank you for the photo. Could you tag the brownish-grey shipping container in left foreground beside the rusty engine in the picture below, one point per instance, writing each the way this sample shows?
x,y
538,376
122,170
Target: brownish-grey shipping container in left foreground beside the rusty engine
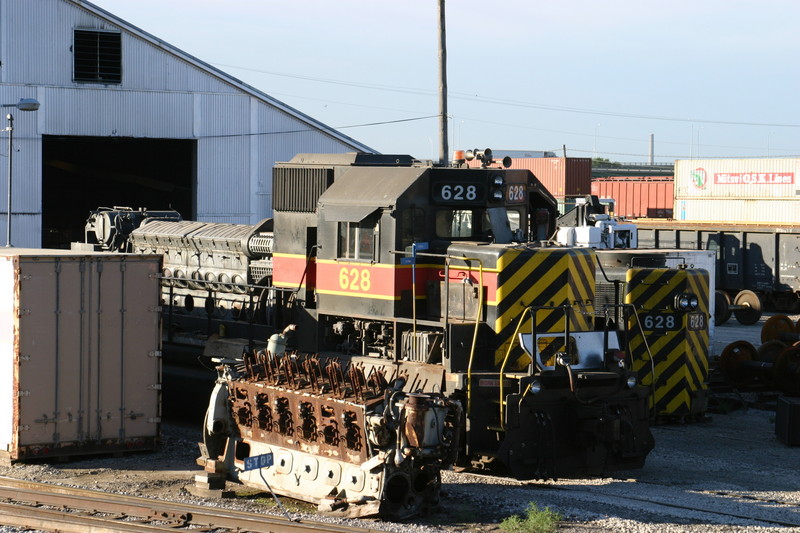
x,y
80,353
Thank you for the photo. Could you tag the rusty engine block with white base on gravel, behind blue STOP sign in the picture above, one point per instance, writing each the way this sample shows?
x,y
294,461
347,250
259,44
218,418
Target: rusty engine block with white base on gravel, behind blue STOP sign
x,y
342,435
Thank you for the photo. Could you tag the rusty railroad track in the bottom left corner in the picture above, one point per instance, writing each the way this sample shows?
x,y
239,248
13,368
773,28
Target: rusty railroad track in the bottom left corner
x,y
50,507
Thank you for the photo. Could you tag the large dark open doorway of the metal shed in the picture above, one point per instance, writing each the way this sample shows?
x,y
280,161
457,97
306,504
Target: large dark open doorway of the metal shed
x,y
80,174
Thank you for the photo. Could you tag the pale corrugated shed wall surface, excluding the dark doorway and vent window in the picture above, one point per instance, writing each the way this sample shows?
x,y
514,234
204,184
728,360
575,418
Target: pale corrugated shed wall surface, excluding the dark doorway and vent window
x,y
164,93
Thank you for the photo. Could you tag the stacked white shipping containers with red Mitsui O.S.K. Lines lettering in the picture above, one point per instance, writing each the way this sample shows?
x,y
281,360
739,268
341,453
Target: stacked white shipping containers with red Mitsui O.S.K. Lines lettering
x,y
756,191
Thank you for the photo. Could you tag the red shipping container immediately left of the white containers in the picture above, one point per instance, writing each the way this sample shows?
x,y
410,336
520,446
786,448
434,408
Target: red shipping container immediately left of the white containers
x,y
637,197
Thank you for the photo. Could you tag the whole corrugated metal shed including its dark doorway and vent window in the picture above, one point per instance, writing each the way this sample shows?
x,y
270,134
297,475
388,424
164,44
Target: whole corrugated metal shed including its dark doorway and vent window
x,y
127,119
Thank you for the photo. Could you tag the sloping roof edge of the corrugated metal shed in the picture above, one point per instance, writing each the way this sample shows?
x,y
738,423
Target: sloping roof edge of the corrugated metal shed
x,y
219,74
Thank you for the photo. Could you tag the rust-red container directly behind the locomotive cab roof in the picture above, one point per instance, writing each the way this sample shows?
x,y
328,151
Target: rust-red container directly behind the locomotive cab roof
x,y
561,176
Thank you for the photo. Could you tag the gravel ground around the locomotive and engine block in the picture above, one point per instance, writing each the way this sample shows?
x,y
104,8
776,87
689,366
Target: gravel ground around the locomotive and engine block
x,y
729,473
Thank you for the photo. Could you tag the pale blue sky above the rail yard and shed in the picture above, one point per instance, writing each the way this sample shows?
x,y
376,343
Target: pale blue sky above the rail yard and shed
x,y
705,78
